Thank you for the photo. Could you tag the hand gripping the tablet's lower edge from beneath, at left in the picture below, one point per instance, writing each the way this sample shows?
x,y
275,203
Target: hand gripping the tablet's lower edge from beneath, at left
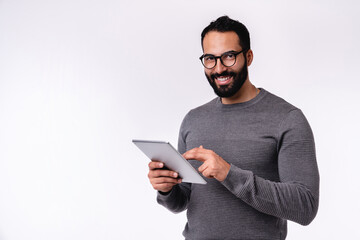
x,y
161,179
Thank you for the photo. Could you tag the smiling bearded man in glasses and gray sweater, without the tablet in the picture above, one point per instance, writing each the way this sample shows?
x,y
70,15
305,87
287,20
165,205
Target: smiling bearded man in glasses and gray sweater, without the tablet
x,y
256,151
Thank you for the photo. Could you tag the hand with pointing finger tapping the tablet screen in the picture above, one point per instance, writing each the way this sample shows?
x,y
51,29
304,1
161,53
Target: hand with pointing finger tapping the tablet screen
x,y
213,165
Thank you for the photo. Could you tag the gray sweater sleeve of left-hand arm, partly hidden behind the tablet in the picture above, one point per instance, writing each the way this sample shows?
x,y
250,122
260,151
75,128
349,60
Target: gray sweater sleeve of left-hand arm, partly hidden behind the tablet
x,y
177,199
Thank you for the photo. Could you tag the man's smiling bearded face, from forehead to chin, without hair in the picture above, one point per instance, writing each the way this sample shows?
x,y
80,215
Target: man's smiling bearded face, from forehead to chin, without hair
x,y
226,81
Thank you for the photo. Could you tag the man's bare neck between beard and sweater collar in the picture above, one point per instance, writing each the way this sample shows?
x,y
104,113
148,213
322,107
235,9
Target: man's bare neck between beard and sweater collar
x,y
246,93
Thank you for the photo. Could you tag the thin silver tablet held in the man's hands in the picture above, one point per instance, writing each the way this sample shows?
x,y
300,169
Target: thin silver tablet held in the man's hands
x,y
166,153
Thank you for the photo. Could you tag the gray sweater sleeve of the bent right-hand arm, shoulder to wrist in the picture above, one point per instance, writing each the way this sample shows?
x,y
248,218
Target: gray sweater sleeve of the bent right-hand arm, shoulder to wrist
x,y
296,196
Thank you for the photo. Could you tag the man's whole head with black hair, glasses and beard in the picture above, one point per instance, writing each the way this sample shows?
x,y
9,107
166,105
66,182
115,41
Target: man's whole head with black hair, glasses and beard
x,y
222,41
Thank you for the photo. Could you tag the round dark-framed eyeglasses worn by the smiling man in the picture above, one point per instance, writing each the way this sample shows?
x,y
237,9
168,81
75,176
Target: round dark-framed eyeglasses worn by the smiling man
x,y
227,59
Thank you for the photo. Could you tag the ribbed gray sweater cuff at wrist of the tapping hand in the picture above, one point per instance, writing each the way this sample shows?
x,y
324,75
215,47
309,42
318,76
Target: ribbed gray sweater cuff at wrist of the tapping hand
x,y
237,180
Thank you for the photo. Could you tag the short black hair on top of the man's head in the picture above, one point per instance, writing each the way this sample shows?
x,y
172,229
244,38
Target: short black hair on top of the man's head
x,y
226,24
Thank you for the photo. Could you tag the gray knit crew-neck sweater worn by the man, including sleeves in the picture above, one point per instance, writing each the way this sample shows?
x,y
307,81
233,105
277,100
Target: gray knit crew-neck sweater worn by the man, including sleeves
x,y
273,176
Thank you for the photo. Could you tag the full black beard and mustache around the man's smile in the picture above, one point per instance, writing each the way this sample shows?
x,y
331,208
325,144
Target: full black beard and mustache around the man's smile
x,y
231,89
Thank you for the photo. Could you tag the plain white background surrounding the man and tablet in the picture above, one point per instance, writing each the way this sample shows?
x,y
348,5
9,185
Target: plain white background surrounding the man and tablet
x,y
79,79
